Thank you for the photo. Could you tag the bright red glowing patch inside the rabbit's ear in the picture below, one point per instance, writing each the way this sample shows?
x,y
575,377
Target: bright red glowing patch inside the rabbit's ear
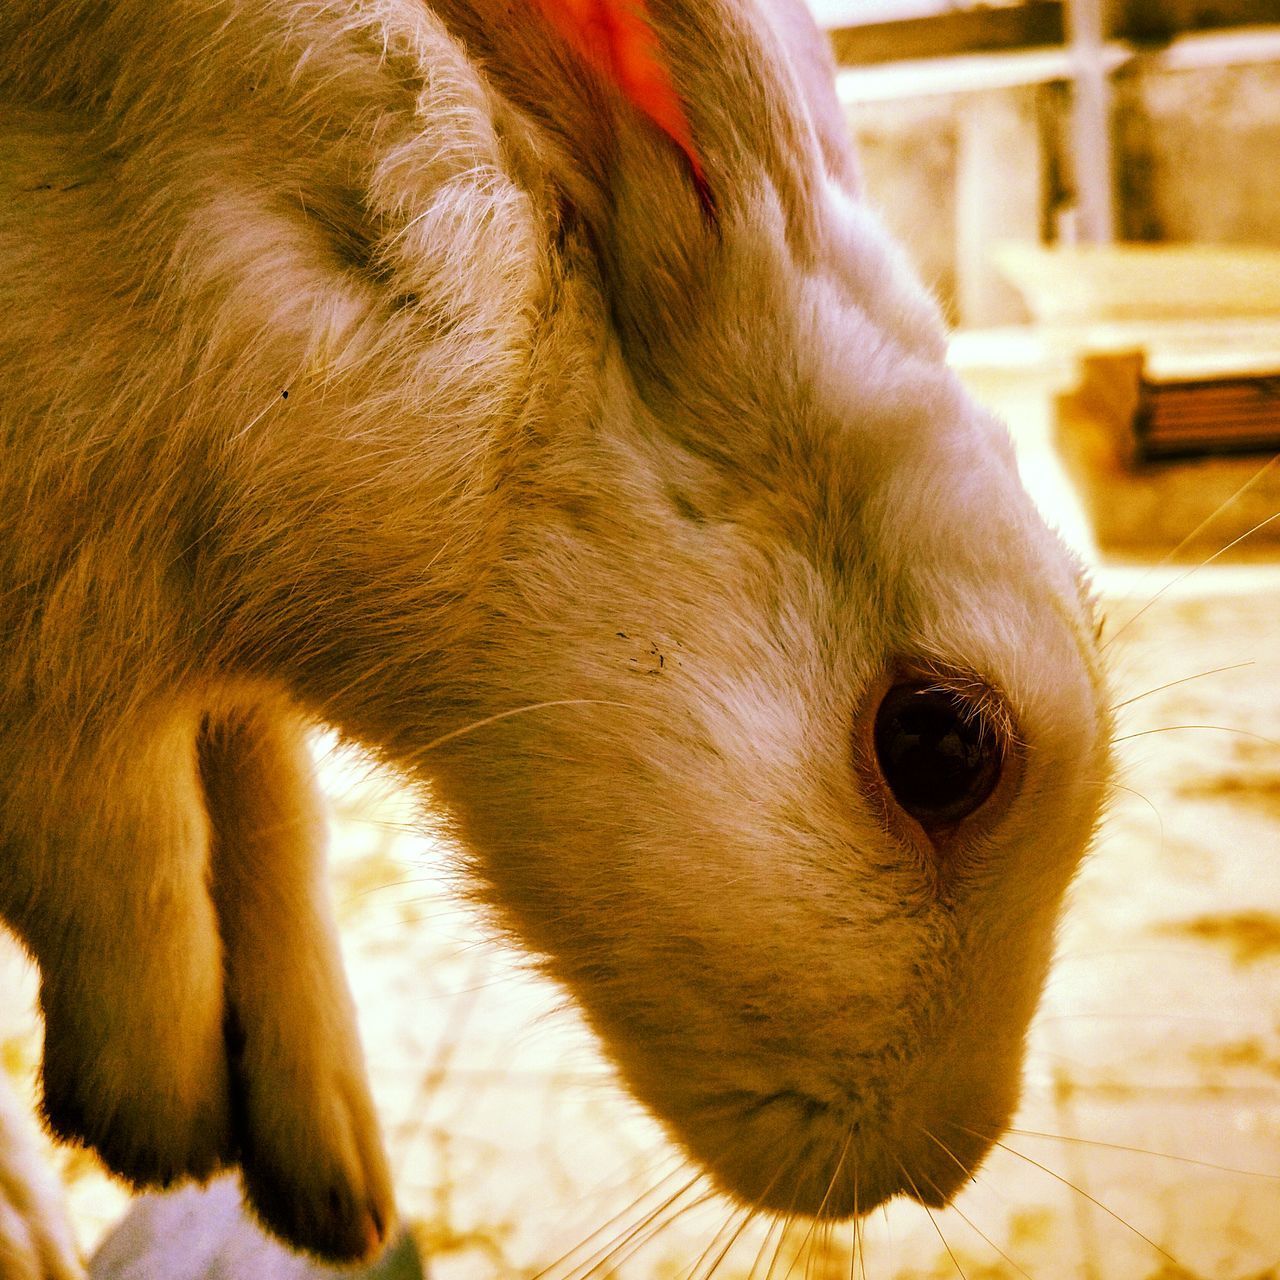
x,y
618,39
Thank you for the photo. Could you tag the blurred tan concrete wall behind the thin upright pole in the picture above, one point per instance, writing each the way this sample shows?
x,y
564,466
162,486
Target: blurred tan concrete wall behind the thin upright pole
x,y
1197,158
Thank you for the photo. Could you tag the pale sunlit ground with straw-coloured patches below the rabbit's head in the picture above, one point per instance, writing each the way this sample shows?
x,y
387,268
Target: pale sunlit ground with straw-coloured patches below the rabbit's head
x,y
1155,1064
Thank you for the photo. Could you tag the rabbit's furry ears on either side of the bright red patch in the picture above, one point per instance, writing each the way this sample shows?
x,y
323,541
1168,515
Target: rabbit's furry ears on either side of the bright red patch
x,y
636,182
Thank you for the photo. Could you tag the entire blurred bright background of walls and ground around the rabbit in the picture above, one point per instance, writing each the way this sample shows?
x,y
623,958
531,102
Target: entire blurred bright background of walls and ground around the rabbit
x,y
1094,191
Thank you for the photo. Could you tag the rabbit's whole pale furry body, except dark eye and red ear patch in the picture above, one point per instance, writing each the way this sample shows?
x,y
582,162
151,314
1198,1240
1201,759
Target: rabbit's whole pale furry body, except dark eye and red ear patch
x,y
372,363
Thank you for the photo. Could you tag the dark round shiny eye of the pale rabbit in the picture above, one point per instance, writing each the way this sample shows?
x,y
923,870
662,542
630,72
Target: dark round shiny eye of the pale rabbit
x,y
938,753
